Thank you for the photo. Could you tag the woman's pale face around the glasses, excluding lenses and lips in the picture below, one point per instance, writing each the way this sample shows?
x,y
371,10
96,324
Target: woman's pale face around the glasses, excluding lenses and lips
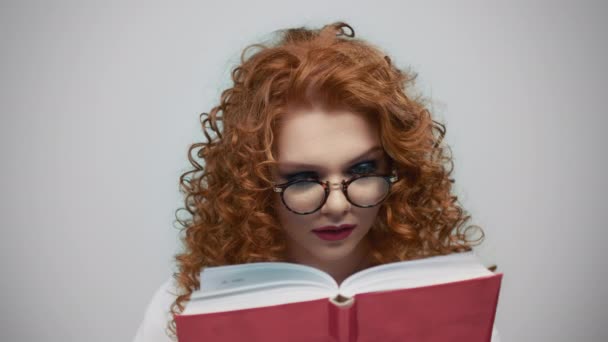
x,y
329,146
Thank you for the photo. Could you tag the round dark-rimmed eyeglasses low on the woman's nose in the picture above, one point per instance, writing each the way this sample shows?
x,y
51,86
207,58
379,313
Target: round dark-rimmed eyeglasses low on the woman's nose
x,y
305,196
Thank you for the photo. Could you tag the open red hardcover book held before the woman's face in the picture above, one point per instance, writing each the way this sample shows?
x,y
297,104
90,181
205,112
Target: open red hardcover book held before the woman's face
x,y
442,298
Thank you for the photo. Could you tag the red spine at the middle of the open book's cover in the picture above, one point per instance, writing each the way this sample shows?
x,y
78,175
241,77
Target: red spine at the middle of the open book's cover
x,y
343,322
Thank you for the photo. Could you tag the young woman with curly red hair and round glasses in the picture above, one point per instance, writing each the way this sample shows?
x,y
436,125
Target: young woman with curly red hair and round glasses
x,y
317,155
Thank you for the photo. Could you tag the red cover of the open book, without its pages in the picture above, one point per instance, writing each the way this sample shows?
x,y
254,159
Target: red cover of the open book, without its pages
x,y
456,311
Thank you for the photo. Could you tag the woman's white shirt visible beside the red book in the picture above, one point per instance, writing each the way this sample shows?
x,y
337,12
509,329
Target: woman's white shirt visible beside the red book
x,y
153,328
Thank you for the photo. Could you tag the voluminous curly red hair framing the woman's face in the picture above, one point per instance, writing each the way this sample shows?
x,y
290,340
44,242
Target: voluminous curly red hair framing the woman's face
x,y
229,198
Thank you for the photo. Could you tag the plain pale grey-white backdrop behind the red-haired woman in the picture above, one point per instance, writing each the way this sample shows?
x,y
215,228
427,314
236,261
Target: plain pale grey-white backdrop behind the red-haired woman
x,y
99,102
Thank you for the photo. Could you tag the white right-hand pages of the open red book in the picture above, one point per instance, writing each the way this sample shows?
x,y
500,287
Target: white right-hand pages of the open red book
x,y
415,273
